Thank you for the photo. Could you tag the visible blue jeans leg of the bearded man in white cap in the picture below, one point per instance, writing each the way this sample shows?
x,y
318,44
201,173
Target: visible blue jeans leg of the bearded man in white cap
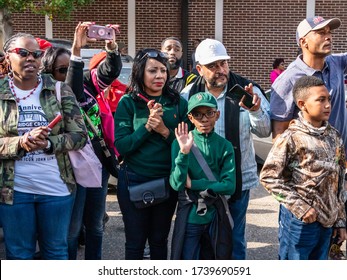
x,y
238,210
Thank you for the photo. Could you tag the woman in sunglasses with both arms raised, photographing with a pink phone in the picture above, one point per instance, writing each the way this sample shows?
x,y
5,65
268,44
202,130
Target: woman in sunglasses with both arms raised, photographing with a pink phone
x,y
90,203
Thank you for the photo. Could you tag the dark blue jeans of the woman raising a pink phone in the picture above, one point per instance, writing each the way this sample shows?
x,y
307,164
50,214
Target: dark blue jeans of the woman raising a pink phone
x,y
89,209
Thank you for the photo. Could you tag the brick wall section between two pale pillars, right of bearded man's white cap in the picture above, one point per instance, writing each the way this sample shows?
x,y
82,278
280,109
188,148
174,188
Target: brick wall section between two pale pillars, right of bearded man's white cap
x,y
256,32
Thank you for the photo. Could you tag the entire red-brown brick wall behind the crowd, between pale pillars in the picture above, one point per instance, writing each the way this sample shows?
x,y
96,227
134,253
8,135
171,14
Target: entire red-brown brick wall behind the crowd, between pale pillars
x,y
254,32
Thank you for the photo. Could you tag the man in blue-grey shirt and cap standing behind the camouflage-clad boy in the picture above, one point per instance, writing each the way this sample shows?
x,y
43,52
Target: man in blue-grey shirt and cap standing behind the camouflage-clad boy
x,y
314,37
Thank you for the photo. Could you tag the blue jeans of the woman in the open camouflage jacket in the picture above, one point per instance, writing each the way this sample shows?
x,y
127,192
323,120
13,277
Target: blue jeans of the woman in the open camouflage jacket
x,y
35,217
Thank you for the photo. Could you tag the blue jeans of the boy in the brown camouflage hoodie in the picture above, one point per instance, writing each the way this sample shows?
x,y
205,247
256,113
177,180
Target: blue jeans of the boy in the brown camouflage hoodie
x,y
301,241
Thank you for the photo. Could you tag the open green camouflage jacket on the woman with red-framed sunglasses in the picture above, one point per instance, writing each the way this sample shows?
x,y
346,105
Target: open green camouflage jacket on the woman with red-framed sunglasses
x,y
70,134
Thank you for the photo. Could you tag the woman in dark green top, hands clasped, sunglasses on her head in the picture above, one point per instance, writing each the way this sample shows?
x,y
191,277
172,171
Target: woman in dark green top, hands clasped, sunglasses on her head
x,y
145,120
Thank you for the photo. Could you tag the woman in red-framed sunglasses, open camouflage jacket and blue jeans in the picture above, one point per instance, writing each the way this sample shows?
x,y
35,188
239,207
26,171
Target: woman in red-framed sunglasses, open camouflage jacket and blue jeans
x,y
36,183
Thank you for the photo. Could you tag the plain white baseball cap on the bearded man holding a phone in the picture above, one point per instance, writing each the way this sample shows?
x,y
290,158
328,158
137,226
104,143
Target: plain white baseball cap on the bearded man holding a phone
x,y
210,50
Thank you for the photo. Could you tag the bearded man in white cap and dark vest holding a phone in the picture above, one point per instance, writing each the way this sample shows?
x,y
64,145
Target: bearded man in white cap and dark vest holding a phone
x,y
236,123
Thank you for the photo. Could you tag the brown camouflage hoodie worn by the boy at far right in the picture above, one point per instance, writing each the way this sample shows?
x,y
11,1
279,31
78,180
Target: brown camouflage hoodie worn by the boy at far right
x,y
305,168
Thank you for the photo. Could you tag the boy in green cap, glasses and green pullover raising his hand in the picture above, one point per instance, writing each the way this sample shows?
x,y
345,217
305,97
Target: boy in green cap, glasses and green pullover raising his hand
x,y
194,230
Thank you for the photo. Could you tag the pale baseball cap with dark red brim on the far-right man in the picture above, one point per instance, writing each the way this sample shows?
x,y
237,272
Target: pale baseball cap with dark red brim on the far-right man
x,y
315,23
